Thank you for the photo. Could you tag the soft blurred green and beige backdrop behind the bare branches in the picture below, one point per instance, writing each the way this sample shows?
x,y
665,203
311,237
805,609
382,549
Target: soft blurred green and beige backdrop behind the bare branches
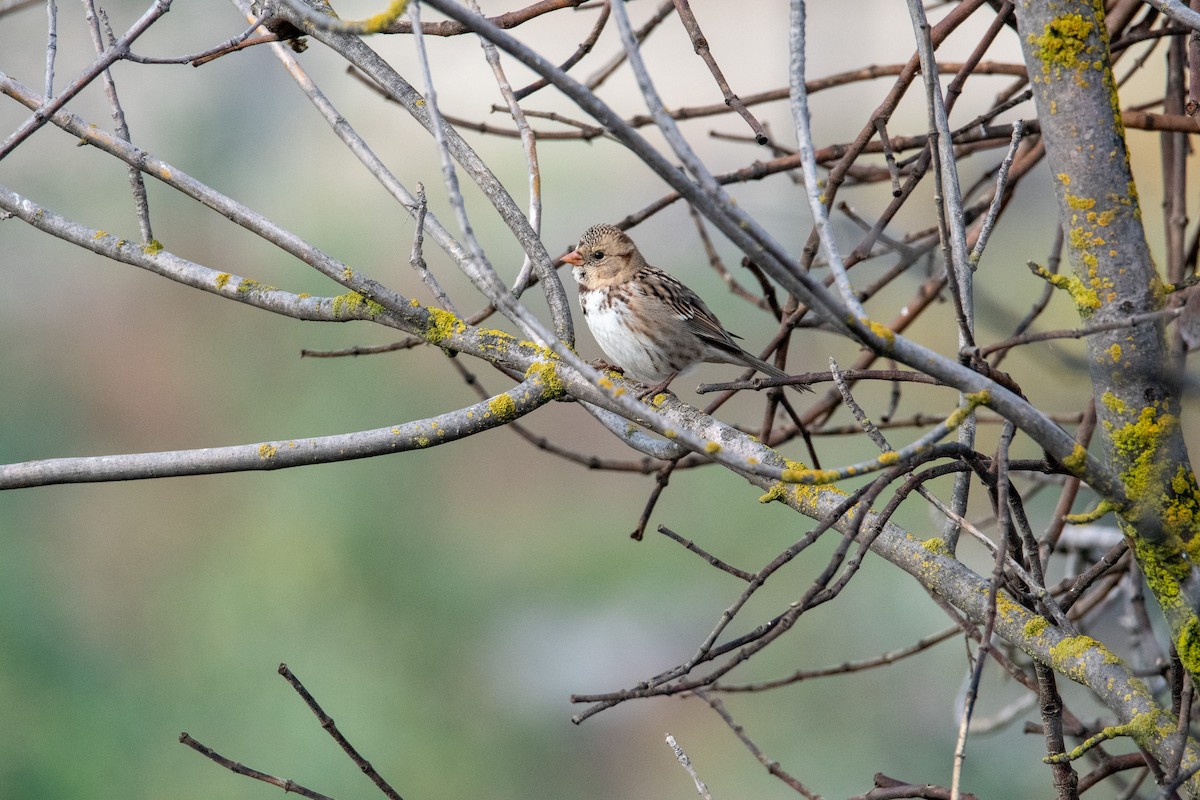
x,y
442,605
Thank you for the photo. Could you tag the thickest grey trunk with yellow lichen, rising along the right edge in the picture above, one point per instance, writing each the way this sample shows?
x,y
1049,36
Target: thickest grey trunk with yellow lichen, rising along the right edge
x,y
1135,376
